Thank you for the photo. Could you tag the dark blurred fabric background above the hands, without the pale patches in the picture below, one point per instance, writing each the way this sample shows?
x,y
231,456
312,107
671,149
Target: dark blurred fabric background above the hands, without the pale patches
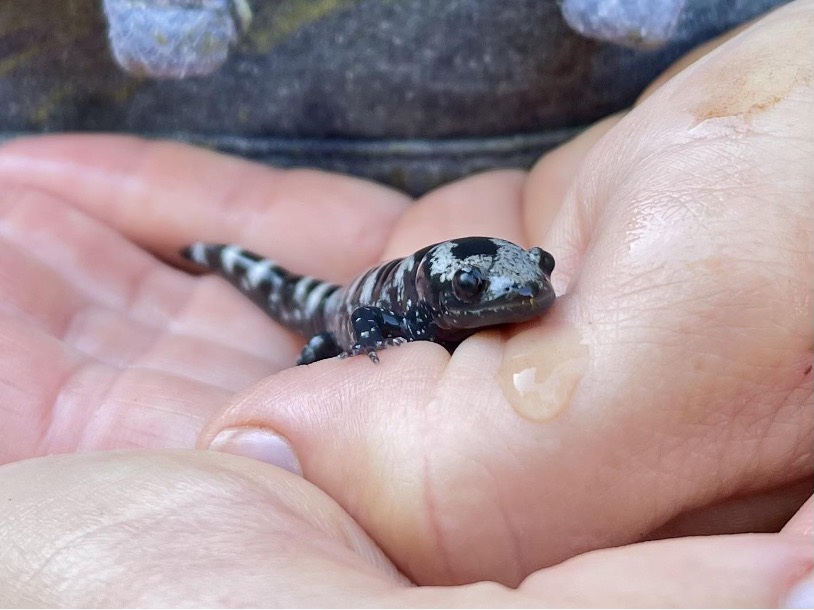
x,y
409,92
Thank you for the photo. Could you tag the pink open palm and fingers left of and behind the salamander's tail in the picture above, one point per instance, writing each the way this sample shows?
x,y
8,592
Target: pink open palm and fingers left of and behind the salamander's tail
x,y
138,354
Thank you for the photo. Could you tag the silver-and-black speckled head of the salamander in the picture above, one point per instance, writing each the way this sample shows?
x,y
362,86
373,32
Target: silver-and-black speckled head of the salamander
x,y
475,282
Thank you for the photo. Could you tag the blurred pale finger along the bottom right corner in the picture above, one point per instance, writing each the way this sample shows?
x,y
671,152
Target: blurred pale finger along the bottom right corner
x,y
754,571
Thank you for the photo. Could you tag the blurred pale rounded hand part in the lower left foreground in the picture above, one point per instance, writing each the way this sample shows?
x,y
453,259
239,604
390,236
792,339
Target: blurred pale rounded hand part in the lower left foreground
x,y
169,529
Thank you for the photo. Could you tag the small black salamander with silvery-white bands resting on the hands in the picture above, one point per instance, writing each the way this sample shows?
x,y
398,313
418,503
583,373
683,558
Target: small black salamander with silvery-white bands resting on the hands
x,y
442,293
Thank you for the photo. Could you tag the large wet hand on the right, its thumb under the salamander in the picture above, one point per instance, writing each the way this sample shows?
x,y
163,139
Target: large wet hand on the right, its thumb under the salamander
x,y
668,392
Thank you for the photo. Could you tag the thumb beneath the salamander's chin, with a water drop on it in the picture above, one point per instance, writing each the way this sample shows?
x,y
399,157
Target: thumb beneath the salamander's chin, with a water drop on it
x,y
436,457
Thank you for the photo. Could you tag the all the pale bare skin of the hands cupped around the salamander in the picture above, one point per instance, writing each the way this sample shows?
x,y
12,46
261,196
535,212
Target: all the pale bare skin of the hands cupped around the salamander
x,y
683,237
